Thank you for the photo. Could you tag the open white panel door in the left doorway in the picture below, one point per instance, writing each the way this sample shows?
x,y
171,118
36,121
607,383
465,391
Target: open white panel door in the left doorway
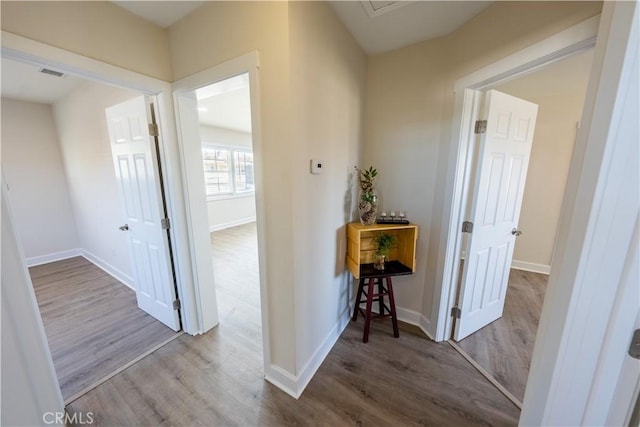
x,y
137,172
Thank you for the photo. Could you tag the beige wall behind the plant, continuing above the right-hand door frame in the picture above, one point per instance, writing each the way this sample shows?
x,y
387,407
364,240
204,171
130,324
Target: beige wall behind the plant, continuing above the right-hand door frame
x,y
410,104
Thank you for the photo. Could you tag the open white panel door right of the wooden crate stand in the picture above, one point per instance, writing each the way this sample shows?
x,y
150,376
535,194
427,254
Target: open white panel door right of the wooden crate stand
x,y
503,158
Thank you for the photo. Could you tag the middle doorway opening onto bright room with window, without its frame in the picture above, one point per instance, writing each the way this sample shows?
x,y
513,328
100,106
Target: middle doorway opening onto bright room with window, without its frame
x,y
224,111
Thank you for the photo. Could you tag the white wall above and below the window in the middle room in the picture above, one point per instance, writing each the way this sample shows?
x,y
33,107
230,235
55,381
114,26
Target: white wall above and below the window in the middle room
x,y
235,210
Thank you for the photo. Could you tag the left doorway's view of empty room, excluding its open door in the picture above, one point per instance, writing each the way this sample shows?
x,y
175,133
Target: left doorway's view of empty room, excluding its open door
x,y
62,188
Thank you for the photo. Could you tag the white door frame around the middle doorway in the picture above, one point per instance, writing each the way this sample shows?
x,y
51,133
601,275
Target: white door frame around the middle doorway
x,y
198,224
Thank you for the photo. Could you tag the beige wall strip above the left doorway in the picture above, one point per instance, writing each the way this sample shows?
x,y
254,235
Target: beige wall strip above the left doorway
x,y
96,29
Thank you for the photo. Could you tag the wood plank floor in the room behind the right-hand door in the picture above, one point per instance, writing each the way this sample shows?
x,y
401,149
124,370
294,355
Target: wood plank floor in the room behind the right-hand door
x,y
504,347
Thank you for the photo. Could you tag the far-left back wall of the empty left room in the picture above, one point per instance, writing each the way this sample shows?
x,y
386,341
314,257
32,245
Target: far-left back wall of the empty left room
x,y
34,170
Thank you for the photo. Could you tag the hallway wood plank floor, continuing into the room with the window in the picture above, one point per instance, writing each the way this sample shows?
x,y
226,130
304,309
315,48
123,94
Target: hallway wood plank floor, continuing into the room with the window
x,y
216,379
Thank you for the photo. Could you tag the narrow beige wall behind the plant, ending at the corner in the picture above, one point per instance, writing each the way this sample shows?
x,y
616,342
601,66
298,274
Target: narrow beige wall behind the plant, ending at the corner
x,y
402,140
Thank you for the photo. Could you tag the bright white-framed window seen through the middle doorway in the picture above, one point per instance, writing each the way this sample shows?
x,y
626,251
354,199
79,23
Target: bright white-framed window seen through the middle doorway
x,y
227,171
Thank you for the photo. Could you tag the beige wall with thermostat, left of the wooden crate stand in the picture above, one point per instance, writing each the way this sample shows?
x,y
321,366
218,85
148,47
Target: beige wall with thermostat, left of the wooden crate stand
x,y
327,86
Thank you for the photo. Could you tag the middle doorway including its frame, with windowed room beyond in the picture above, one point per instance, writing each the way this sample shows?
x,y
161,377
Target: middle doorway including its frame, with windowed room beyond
x,y
218,124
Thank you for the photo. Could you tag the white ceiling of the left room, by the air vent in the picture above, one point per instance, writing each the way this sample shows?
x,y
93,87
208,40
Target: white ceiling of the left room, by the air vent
x,y
26,82
